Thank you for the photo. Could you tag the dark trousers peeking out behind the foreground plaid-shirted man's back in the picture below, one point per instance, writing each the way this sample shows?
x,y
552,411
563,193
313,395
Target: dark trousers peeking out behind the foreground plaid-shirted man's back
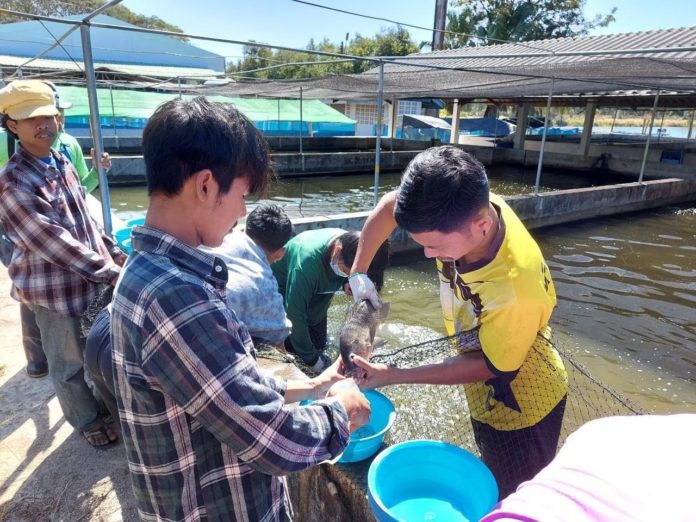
x,y
98,360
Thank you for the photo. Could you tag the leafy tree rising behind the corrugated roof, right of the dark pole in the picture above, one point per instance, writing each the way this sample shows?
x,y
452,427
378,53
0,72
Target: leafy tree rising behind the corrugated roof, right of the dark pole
x,y
518,21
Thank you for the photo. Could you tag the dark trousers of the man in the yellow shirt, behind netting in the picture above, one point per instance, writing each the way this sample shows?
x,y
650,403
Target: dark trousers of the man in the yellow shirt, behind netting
x,y
516,456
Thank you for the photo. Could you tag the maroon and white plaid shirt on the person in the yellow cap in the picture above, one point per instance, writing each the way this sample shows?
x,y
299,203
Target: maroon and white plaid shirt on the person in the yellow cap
x,y
60,254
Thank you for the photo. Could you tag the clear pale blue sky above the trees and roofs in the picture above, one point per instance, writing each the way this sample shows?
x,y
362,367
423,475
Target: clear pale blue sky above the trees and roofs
x,y
292,24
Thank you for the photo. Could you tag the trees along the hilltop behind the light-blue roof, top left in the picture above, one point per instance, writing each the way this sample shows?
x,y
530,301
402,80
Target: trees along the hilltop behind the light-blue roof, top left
x,y
72,7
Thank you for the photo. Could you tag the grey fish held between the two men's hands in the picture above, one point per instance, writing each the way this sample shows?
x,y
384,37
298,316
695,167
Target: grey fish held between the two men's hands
x,y
358,334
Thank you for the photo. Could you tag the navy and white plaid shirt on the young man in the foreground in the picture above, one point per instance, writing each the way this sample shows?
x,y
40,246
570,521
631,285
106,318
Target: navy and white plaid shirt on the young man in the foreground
x,y
208,436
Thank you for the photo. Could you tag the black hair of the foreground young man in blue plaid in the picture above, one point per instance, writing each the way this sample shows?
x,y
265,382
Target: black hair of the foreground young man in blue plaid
x,y
184,137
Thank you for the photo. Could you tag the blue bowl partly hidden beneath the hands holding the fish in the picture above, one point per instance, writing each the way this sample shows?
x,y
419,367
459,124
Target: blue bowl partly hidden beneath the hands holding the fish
x,y
365,441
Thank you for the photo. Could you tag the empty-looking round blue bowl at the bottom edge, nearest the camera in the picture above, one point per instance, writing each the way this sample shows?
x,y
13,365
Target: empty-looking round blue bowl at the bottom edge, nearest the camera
x,y
429,480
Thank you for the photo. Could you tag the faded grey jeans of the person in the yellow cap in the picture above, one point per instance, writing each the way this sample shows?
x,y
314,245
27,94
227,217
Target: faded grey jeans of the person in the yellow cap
x,y
64,348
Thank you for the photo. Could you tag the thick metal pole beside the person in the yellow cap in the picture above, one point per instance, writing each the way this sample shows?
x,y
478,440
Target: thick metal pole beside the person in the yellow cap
x,y
96,125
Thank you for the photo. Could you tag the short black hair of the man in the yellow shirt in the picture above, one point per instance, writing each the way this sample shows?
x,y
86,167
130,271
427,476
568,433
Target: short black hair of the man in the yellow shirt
x,y
441,188
